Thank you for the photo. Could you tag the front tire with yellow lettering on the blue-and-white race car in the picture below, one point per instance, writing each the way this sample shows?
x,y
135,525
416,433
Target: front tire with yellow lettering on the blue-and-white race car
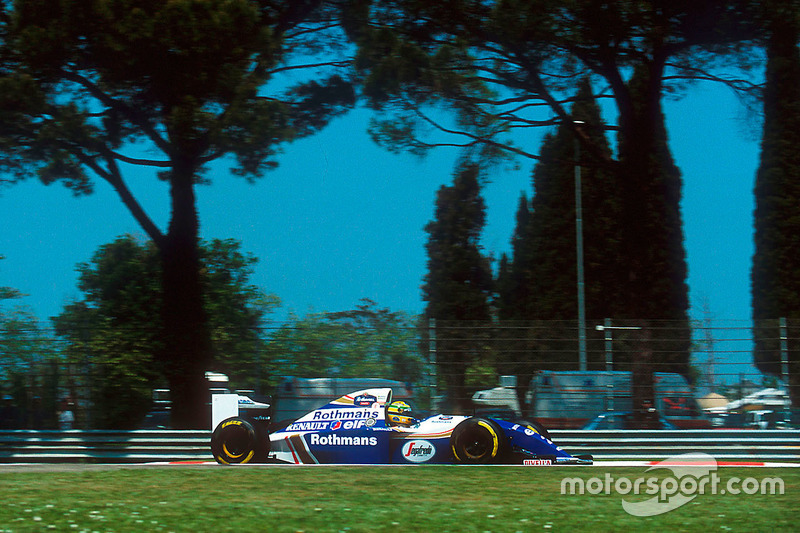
x,y
478,441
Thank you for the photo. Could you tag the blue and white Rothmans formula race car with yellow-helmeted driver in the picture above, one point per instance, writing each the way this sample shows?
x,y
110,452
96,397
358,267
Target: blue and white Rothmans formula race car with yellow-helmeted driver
x,y
357,429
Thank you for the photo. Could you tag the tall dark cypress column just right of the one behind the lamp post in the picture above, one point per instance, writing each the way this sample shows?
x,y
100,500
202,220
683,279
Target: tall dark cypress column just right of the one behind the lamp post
x,y
653,235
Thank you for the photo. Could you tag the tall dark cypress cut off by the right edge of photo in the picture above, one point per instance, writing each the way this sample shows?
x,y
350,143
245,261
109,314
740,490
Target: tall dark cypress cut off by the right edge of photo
x,y
776,262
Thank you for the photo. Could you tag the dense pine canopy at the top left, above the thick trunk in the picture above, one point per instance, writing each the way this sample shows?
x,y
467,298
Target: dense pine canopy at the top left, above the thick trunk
x,y
184,75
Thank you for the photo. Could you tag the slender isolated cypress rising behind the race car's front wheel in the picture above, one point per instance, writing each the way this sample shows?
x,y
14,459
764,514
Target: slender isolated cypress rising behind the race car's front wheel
x,y
459,279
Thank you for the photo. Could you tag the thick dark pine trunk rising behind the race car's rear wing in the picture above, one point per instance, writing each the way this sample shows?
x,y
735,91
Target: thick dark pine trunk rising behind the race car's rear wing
x,y
186,350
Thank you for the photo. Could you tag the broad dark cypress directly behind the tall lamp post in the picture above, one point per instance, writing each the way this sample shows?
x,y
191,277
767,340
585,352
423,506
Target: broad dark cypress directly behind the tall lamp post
x,y
543,268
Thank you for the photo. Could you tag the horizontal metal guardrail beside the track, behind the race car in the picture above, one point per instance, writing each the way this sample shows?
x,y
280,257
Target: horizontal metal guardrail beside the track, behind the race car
x,y
164,445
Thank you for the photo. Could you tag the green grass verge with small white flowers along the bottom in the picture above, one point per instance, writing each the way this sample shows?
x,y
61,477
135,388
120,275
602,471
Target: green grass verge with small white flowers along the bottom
x,y
352,498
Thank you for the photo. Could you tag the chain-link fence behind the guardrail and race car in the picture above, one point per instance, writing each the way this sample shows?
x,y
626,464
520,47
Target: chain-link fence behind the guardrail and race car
x,y
728,374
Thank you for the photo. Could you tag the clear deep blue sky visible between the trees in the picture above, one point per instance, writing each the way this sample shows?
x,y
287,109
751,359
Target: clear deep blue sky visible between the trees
x,y
341,219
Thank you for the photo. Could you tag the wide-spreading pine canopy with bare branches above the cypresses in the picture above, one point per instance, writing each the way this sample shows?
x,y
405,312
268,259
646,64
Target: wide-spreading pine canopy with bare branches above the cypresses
x,y
497,65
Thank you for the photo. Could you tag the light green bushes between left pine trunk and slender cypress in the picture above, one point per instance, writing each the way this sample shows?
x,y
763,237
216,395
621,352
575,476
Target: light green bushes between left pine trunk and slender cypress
x,y
368,341
